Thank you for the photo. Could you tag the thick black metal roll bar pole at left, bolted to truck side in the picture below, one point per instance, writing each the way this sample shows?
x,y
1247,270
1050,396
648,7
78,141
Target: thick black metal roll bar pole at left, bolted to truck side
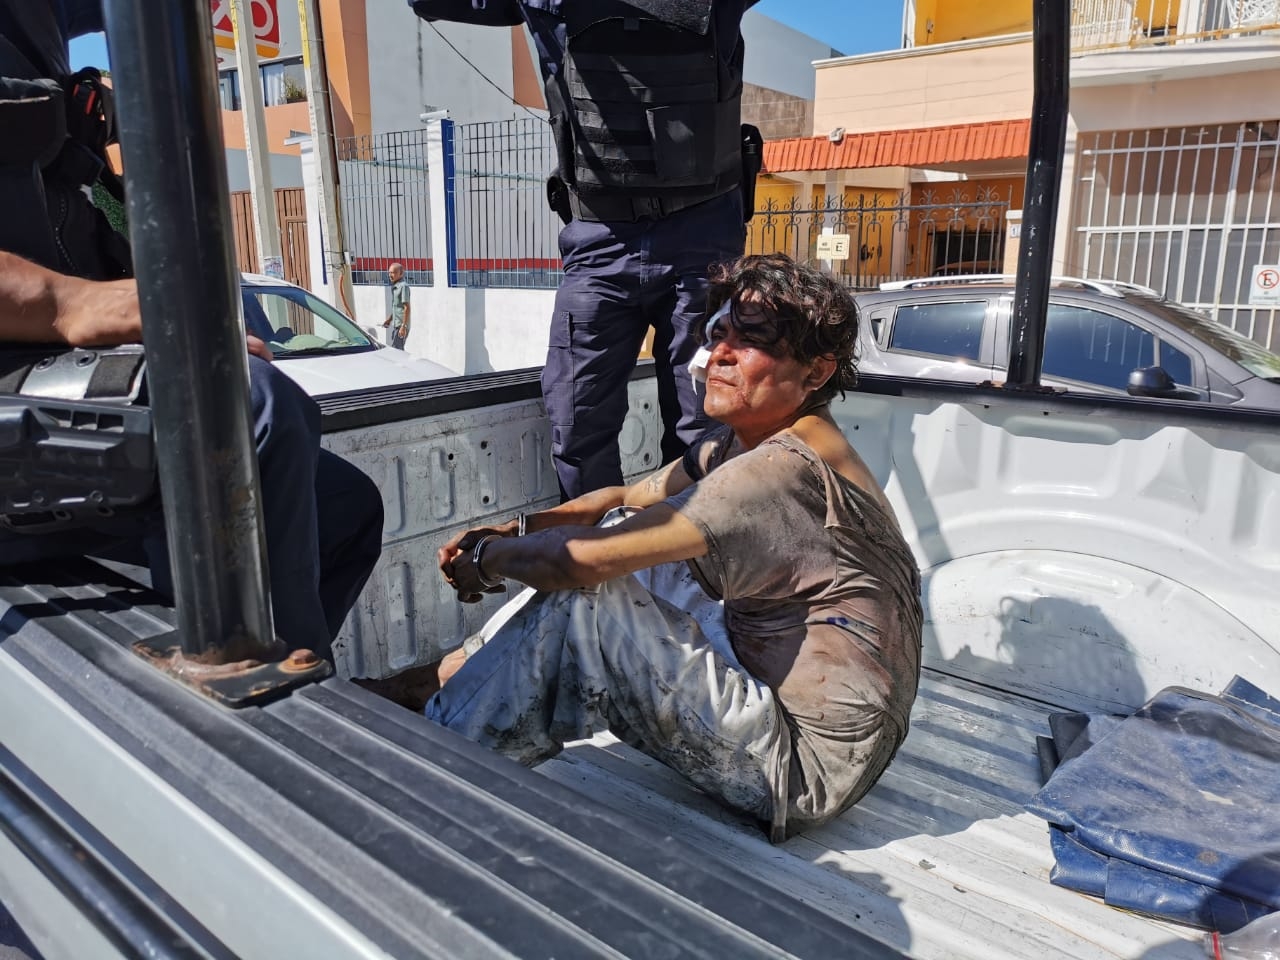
x,y
198,374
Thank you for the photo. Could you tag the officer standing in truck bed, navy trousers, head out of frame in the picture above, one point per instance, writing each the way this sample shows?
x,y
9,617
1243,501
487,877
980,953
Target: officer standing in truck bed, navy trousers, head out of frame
x,y
646,100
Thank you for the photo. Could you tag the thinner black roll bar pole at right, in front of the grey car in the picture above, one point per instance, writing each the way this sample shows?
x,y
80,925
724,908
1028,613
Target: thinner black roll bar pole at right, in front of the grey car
x,y
1052,52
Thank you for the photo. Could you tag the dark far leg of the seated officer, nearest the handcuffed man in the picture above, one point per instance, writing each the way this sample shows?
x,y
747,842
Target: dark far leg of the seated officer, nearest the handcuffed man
x,y
350,527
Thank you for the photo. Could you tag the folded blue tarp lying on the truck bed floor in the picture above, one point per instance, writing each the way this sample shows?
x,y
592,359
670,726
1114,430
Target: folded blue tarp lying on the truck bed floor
x,y
1173,812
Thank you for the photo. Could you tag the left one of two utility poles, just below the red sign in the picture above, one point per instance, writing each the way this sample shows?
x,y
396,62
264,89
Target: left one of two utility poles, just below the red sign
x,y
267,230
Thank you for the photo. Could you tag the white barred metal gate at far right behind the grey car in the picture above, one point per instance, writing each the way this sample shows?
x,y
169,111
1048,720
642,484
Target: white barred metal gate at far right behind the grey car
x,y
1188,211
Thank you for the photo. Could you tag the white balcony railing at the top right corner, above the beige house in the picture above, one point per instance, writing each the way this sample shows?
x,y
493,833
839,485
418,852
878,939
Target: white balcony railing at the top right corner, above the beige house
x,y
1118,25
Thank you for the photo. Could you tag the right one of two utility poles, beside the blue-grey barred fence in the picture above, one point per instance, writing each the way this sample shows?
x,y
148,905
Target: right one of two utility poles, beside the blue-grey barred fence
x,y
327,158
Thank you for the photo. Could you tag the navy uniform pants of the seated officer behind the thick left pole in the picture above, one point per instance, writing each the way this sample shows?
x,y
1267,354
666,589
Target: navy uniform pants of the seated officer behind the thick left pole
x,y
323,519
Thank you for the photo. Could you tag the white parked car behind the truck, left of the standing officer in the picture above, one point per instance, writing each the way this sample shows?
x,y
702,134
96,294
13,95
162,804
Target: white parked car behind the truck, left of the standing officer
x,y
321,348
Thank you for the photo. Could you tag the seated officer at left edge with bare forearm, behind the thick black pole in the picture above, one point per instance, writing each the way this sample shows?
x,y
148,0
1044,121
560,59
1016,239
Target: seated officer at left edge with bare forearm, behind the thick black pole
x,y
66,280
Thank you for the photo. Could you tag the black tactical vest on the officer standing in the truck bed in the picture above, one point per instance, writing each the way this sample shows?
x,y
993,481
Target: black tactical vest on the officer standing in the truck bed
x,y
646,111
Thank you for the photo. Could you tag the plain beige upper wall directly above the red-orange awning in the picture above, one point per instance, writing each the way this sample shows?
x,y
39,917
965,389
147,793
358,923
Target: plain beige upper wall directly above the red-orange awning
x,y
925,88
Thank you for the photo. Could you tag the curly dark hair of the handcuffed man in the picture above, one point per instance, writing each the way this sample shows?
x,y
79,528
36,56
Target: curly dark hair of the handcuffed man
x,y
816,316
